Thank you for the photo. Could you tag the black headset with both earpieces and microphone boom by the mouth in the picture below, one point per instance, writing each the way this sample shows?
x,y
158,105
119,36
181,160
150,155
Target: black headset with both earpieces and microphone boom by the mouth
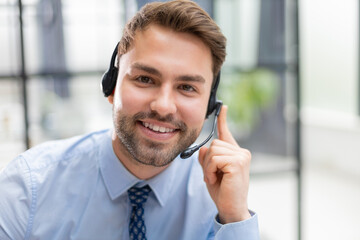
x,y
108,85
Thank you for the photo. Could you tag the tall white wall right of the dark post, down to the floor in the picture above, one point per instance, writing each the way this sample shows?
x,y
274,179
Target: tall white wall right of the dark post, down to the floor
x,y
329,74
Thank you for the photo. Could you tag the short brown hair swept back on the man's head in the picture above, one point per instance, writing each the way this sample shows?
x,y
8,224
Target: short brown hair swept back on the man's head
x,y
180,16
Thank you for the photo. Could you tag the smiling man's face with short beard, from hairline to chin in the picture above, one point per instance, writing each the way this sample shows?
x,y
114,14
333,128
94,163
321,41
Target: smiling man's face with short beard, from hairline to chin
x,y
161,95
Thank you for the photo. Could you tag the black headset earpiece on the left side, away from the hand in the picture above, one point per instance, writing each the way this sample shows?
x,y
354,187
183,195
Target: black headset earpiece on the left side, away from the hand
x,y
110,76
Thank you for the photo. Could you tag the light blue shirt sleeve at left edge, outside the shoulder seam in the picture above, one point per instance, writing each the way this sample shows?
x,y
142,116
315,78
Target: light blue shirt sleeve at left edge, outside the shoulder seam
x,y
15,200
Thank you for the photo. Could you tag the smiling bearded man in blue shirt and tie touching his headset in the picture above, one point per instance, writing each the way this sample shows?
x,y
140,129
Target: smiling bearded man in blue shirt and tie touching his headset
x,y
129,183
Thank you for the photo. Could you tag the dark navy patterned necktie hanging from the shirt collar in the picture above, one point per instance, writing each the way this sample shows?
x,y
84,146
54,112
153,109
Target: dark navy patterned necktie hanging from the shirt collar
x,y
138,197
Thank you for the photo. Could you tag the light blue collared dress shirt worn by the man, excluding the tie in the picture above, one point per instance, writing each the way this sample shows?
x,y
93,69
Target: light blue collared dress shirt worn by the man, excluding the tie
x,y
77,189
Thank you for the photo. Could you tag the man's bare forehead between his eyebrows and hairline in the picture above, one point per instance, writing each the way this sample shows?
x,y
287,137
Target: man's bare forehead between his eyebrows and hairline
x,y
167,49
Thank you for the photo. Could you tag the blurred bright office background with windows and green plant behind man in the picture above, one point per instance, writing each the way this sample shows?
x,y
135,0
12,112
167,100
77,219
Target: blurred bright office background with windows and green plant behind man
x,y
291,80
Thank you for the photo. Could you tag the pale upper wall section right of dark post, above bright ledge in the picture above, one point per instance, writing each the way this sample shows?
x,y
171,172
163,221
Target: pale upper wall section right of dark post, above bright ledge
x,y
329,54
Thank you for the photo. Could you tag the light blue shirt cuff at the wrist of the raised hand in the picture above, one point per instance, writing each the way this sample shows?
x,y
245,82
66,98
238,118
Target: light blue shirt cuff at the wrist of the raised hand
x,y
247,229
